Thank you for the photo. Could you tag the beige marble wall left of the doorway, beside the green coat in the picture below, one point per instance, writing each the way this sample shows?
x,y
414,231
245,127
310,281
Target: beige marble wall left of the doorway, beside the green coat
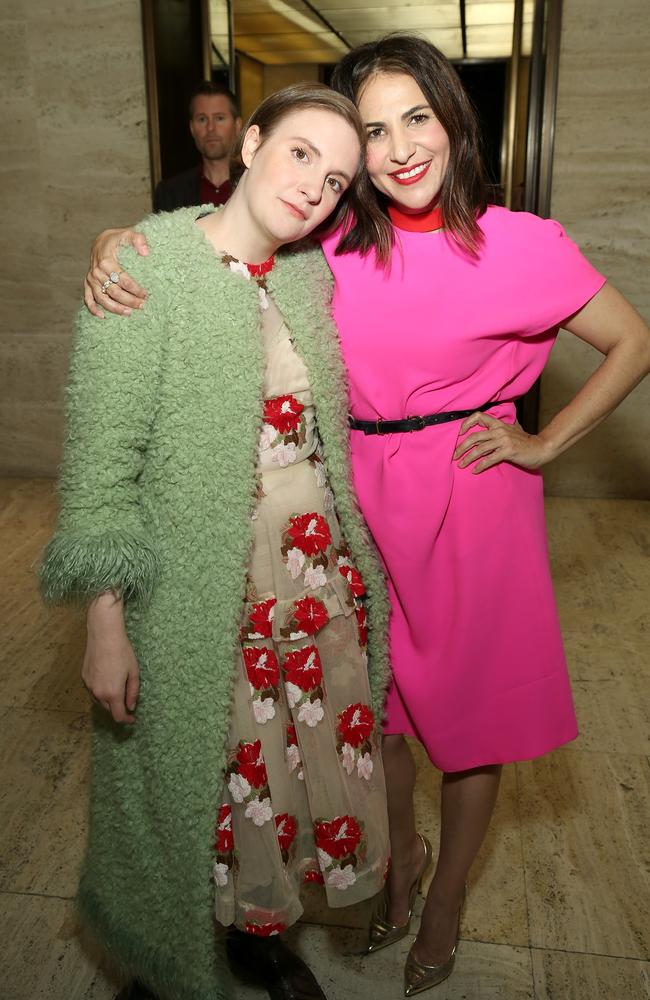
x,y
73,160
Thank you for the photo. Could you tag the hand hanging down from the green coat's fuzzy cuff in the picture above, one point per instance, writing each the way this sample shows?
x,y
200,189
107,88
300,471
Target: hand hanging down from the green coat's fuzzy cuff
x,y
110,670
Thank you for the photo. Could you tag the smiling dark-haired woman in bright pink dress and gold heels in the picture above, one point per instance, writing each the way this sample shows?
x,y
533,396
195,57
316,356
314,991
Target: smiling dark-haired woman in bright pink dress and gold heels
x,y
447,313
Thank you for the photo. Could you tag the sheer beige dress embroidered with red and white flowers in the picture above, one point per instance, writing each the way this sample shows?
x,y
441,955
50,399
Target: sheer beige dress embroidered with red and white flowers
x,y
303,795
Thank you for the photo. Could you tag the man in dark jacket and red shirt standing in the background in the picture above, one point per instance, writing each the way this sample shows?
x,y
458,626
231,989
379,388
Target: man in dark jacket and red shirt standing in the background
x,y
215,123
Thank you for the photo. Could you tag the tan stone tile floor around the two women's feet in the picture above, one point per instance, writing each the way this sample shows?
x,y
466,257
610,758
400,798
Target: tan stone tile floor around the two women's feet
x,y
559,900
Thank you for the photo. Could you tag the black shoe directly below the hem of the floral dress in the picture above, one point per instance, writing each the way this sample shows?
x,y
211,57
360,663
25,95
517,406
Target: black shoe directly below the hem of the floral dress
x,y
270,962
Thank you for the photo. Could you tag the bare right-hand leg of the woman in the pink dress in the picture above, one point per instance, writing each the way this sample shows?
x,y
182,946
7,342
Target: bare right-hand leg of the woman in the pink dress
x,y
468,799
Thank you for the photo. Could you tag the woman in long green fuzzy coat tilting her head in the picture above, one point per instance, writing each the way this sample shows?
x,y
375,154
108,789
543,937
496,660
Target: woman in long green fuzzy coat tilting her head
x,y
207,518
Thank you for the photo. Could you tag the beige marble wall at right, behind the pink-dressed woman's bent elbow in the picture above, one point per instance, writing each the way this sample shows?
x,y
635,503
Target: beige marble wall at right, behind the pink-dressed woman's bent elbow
x,y
601,193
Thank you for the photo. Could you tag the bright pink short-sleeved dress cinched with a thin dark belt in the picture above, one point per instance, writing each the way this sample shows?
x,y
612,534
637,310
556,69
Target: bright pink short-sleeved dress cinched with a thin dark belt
x,y
479,670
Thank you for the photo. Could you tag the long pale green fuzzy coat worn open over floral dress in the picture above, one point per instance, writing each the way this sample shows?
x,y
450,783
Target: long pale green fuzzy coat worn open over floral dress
x,y
156,493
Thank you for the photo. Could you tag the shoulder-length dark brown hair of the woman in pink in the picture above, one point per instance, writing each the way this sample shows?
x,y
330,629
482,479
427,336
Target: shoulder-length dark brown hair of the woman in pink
x,y
464,192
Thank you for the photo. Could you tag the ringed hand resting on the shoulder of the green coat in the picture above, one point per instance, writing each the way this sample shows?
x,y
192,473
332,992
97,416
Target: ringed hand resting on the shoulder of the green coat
x,y
101,290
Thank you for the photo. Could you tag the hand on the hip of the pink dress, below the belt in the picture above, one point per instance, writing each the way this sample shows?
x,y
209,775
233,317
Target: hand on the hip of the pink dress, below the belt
x,y
497,442
